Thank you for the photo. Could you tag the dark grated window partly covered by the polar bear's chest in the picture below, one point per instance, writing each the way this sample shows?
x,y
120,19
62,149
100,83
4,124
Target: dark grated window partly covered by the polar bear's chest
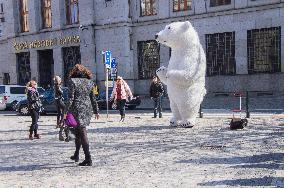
x,y
148,58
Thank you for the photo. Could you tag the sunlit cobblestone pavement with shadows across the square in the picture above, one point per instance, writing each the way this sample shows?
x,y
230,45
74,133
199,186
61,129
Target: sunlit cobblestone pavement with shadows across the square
x,y
145,152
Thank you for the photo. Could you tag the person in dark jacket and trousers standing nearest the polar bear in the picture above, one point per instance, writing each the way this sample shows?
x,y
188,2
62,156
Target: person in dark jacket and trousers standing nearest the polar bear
x,y
156,94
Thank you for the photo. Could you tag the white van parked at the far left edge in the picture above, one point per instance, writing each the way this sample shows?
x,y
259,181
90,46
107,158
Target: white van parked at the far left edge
x,y
12,94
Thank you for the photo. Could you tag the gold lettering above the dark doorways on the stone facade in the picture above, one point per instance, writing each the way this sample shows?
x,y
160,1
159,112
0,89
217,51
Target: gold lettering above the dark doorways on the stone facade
x,y
46,43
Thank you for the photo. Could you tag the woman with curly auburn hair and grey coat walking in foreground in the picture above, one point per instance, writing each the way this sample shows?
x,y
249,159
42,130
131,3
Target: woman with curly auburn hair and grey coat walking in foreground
x,y
82,104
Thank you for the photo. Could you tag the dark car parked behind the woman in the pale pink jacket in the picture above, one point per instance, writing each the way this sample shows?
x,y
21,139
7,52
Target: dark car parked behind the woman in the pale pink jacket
x,y
136,101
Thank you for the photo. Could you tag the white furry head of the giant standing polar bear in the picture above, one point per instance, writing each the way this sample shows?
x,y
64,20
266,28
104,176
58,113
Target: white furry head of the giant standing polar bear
x,y
178,35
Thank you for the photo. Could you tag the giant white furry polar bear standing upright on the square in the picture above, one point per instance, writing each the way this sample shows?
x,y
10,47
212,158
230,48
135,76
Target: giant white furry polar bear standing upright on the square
x,y
185,75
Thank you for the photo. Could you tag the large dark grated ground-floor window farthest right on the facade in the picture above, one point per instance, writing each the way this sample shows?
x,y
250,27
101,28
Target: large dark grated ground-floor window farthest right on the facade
x,y
264,50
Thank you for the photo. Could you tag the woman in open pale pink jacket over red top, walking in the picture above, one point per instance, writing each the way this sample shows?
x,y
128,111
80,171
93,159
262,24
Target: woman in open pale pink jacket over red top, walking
x,y
120,94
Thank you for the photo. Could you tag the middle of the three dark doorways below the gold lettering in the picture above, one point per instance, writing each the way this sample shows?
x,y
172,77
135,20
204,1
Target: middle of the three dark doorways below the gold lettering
x,y
46,68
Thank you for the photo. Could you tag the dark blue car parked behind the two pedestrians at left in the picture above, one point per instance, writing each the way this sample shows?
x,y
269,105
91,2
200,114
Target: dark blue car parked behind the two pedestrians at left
x,y
48,102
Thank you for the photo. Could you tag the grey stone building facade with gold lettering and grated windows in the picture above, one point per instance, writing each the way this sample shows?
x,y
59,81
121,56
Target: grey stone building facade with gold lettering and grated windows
x,y
243,40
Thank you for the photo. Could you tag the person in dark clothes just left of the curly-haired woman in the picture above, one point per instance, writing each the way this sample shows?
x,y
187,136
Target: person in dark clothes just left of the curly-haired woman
x,y
60,105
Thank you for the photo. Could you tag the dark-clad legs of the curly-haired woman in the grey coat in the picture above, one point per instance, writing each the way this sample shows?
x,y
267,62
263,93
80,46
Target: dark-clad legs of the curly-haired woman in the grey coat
x,y
81,139
